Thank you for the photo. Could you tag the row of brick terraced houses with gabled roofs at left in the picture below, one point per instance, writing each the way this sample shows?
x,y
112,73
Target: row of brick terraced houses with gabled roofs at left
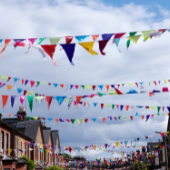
x,y
22,136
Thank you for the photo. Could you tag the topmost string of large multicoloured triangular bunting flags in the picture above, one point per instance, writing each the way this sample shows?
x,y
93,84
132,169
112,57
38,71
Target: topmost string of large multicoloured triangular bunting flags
x,y
69,47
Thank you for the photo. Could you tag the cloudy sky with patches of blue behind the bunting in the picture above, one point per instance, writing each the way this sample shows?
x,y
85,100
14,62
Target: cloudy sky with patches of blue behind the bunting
x,y
142,62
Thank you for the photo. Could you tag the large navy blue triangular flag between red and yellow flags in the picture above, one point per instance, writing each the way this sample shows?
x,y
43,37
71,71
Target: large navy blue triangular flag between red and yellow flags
x,y
69,50
